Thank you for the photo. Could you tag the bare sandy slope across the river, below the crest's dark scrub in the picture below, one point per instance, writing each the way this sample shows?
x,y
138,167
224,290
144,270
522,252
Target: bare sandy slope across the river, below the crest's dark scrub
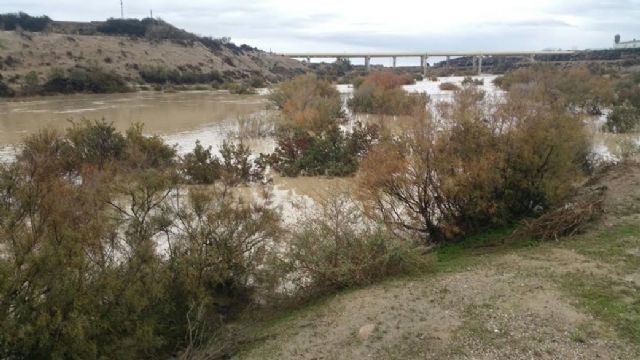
x,y
42,51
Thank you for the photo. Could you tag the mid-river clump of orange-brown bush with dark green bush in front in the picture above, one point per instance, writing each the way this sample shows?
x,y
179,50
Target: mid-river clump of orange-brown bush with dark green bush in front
x,y
310,141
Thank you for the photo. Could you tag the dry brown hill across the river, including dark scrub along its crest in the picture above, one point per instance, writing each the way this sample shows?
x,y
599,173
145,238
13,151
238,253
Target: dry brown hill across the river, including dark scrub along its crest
x,y
67,45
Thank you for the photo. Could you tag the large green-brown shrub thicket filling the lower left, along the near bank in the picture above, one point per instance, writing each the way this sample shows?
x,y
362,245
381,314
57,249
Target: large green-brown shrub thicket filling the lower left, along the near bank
x,y
101,248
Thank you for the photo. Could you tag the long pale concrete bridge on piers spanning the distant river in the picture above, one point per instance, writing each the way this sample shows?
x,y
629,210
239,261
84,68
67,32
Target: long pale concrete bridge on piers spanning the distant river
x,y
424,56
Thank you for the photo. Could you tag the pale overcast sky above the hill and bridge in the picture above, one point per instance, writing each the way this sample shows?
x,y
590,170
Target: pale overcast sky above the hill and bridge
x,y
347,25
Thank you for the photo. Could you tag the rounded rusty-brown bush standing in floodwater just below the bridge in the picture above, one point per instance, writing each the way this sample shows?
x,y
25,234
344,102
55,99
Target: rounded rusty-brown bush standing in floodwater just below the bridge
x,y
381,93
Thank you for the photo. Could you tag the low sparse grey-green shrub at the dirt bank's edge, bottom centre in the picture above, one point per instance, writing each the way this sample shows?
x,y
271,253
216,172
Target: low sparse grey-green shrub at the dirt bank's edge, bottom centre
x,y
336,247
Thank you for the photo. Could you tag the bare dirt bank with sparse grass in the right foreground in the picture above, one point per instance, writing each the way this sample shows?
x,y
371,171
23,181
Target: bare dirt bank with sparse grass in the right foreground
x,y
576,298
